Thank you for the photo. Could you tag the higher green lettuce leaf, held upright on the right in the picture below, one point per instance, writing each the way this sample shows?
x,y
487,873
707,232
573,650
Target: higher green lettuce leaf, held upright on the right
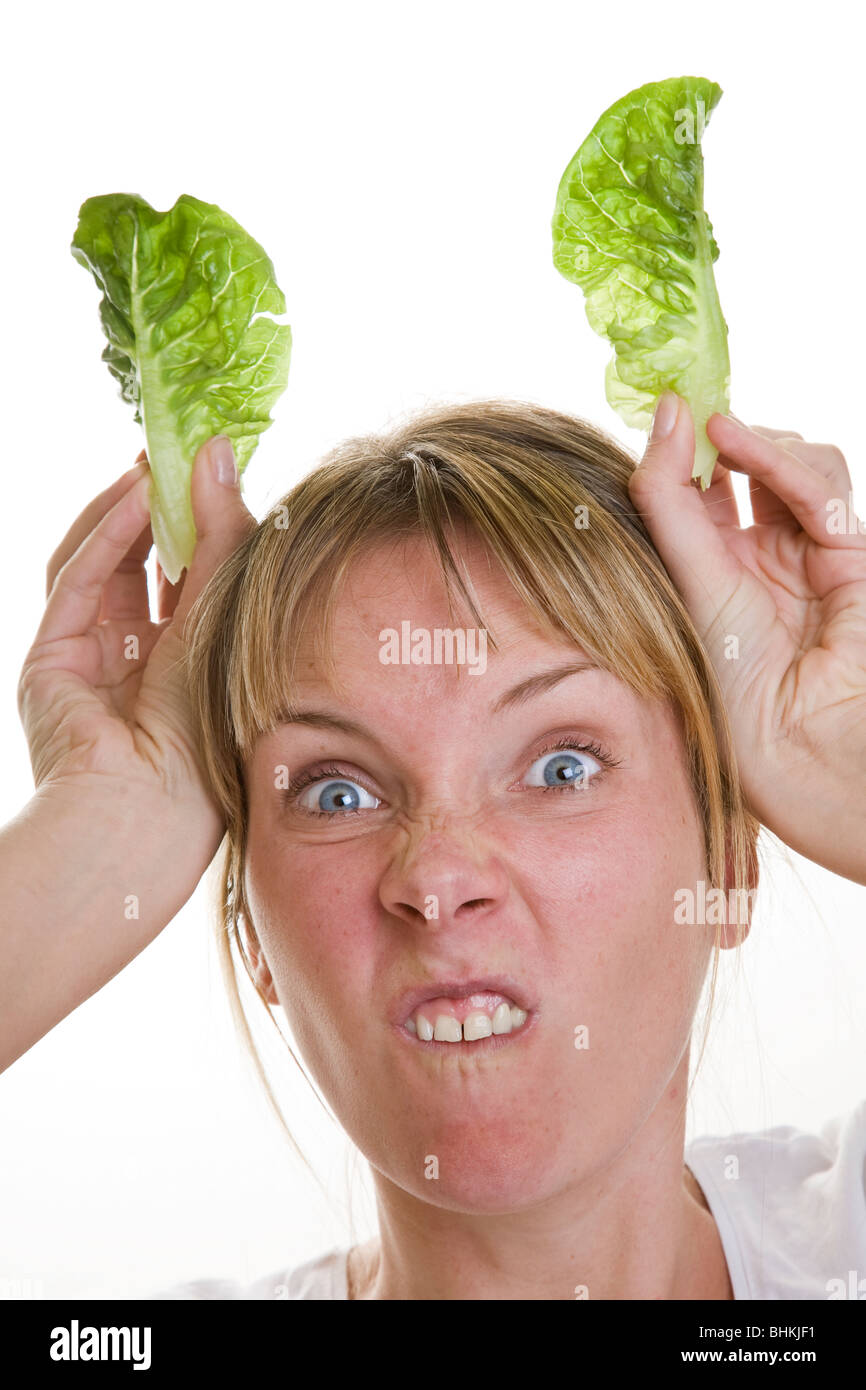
x,y
632,231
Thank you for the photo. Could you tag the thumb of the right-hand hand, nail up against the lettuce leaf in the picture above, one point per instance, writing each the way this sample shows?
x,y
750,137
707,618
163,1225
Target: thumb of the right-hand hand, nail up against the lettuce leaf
x,y
679,522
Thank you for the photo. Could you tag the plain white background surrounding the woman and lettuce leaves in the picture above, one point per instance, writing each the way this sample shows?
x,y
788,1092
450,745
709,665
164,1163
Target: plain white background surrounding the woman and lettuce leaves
x,y
400,165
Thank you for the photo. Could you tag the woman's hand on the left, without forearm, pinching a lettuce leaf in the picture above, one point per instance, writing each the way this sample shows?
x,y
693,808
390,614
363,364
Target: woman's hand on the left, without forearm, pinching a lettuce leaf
x,y
102,694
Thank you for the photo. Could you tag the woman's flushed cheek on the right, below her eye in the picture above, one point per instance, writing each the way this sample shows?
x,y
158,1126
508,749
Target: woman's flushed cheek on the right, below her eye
x,y
604,888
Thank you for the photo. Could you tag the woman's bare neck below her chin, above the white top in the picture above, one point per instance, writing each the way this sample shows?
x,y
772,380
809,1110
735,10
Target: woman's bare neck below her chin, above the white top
x,y
637,1228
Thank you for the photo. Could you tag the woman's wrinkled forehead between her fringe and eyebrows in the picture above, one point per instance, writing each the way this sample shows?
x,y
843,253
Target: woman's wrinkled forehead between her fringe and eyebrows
x,y
398,584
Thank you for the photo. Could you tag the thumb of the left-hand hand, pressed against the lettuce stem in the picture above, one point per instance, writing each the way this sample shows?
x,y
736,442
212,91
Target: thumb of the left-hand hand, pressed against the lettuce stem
x,y
223,522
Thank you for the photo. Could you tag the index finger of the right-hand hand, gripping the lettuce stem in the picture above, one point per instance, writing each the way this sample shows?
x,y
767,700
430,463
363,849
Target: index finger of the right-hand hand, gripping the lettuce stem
x,y
803,490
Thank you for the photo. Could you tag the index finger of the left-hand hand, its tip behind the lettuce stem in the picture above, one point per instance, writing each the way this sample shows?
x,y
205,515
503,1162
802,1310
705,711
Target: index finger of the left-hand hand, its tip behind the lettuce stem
x,y
77,593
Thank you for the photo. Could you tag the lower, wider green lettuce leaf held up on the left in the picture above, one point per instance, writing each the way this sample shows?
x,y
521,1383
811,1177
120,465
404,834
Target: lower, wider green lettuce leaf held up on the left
x,y
188,305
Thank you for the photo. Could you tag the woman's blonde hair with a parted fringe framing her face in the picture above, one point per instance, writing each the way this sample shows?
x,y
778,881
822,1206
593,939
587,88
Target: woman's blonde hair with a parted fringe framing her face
x,y
518,473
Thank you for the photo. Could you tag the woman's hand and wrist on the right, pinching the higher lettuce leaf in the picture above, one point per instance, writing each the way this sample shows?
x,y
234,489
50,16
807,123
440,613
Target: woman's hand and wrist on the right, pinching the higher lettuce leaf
x,y
782,611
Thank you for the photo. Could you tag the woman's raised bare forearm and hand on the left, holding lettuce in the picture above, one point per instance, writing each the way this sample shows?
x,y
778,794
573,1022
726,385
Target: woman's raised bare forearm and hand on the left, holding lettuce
x,y
120,828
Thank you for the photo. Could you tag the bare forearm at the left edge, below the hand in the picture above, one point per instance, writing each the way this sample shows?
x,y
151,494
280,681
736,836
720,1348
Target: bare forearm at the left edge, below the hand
x,y
90,876
